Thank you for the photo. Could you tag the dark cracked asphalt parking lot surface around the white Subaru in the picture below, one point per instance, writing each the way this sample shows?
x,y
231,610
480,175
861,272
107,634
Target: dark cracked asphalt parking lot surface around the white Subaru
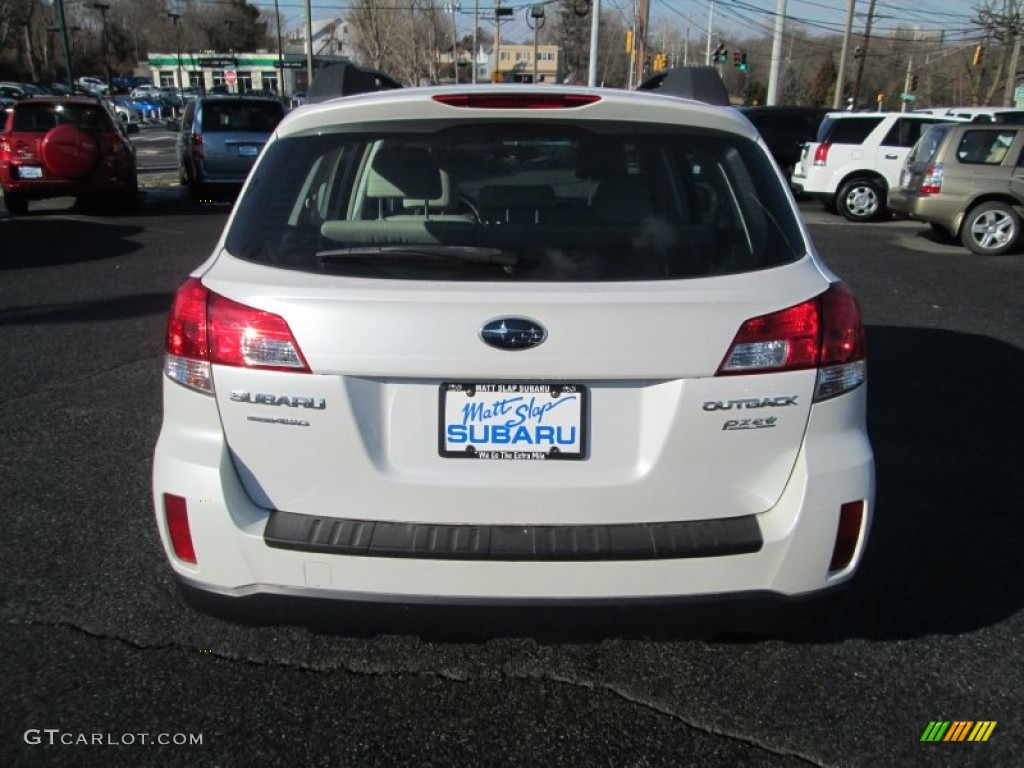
x,y
98,641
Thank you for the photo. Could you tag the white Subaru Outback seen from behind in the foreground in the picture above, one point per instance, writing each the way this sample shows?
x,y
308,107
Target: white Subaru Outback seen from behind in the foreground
x,y
543,350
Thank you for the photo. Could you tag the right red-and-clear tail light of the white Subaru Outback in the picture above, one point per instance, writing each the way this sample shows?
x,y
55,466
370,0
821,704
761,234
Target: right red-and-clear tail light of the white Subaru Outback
x,y
826,333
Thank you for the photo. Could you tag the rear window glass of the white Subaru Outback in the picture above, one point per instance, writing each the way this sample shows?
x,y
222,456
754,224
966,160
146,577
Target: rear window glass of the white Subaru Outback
x,y
516,202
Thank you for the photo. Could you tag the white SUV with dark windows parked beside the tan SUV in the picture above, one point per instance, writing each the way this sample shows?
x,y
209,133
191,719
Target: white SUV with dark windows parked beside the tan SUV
x,y
858,159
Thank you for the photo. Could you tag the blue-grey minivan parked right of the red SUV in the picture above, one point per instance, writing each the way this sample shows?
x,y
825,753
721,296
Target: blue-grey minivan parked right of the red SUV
x,y
221,138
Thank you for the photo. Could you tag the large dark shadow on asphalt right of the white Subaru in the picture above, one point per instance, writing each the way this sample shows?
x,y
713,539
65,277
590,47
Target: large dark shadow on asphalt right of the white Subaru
x,y
945,554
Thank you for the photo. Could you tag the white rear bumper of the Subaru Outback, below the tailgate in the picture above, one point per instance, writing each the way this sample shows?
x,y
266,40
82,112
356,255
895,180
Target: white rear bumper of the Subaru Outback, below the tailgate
x,y
239,572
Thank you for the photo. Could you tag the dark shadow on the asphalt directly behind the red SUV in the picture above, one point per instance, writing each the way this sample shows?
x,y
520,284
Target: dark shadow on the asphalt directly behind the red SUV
x,y
38,240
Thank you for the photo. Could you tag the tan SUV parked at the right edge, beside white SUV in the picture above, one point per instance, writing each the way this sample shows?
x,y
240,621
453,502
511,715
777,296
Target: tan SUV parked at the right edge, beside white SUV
x,y
966,180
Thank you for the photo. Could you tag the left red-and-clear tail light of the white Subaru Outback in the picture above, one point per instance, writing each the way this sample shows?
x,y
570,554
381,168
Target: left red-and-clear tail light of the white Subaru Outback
x,y
205,329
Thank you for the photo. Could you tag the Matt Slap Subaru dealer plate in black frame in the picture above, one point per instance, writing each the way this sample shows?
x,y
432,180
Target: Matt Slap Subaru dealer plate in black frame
x,y
524,421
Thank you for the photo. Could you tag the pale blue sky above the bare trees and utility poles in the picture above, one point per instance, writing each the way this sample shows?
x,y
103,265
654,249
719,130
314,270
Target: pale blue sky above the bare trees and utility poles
x,y
734,18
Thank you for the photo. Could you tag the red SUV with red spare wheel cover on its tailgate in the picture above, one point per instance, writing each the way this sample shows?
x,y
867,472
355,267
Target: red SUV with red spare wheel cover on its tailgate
x,y
60,147
